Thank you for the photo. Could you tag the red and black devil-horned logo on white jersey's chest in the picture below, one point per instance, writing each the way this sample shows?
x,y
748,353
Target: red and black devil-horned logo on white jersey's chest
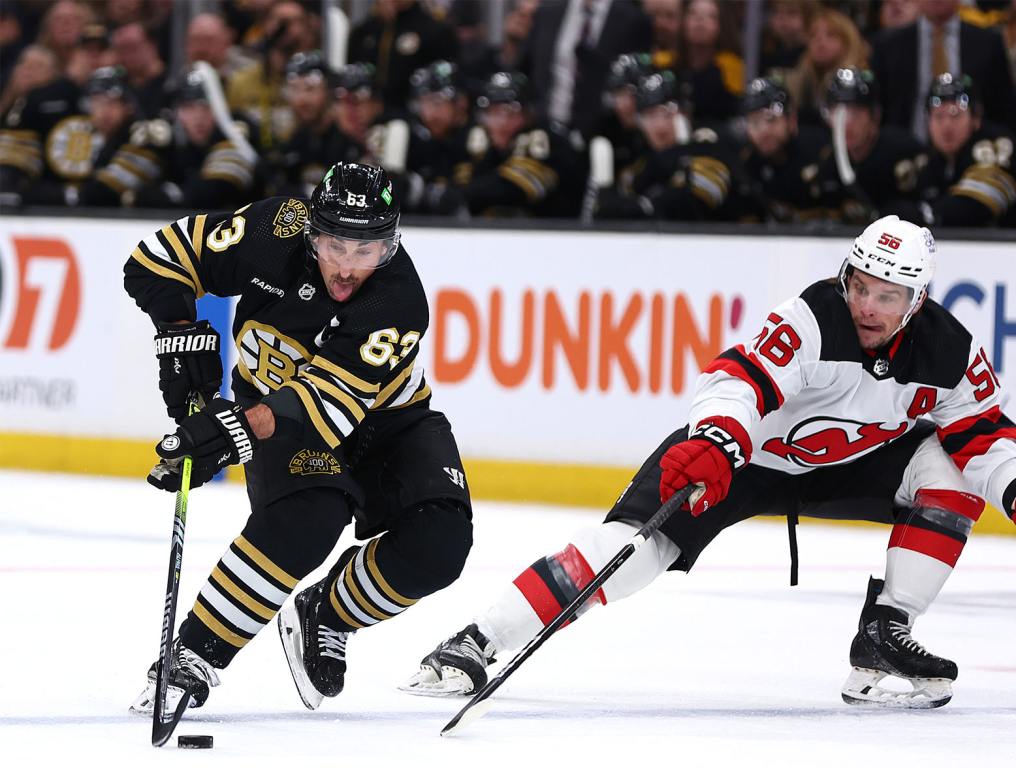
x,y
824,440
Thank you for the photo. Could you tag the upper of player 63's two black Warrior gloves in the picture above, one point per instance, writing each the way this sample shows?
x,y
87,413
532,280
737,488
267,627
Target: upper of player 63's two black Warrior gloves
x,y
188,362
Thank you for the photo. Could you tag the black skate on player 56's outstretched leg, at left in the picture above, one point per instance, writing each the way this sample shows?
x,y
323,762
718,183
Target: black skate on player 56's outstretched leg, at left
x,y
457,668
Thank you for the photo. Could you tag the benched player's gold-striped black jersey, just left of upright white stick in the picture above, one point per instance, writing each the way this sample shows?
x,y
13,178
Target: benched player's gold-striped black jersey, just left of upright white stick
x,y
541,174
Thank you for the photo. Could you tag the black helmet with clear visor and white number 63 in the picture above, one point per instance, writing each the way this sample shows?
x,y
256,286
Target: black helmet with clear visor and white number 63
x,y
355,202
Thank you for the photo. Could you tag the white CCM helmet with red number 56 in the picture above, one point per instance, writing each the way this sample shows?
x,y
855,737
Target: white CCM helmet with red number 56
x,y
899,252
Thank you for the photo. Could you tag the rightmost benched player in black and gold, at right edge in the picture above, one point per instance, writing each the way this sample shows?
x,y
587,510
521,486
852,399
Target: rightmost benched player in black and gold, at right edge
x,y
969,180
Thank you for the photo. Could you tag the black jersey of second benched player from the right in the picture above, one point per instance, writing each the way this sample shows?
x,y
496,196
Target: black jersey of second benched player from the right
x,y
885,178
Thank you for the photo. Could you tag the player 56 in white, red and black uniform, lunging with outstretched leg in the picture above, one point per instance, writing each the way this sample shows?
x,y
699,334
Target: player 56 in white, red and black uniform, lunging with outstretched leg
x,y
860,400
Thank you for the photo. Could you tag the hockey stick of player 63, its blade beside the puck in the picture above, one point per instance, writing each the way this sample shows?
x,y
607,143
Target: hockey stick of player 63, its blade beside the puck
x,y
163,723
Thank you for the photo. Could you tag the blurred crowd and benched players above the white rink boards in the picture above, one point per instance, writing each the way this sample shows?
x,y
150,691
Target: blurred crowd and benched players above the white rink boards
x,y
587,110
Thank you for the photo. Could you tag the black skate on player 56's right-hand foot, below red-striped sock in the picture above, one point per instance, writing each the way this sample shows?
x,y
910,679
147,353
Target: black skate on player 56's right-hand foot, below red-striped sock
x,y
882,648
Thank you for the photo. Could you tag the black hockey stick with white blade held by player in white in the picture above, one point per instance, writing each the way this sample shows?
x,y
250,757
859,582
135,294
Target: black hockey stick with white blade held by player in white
x,y
480,703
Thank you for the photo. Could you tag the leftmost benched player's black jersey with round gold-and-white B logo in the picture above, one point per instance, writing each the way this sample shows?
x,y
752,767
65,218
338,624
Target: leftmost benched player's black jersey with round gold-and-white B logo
x,y
47,143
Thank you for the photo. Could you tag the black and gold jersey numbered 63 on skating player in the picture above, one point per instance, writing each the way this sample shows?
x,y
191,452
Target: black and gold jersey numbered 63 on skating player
x,y
335,364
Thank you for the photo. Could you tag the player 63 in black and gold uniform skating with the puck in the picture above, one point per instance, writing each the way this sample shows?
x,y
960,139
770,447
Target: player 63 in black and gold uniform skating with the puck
x,y
332,420
